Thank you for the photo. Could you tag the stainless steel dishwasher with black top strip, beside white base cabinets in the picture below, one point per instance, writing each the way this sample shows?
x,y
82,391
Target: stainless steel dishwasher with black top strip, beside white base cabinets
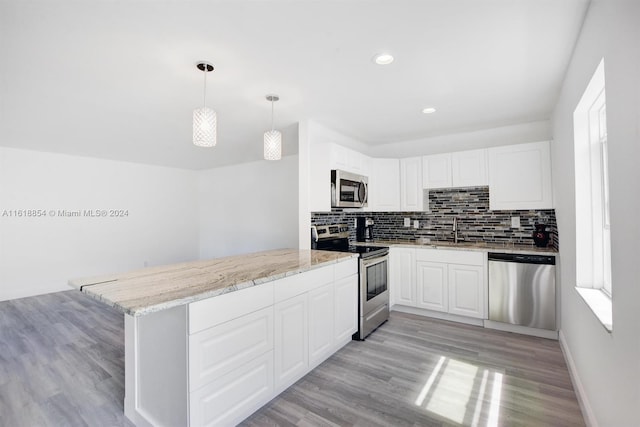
x,y
522,290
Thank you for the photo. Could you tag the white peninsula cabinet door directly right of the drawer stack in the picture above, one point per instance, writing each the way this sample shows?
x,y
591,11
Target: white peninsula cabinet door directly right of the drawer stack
x,y
291,341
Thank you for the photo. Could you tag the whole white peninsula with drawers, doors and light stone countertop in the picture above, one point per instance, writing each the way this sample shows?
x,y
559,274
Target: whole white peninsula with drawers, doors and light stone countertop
x,y
209,342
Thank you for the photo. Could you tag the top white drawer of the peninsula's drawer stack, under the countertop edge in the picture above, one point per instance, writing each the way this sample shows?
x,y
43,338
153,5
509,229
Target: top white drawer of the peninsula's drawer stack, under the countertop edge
x,y
222,308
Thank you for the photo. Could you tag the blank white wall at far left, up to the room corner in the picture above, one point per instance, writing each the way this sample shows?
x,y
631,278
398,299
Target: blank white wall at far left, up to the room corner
x,y
39,255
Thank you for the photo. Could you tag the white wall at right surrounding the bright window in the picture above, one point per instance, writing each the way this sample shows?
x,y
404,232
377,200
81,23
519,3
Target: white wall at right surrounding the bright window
x,y
607,366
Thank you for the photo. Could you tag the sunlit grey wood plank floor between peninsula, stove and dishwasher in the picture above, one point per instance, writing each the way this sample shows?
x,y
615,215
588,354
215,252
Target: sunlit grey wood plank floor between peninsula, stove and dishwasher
x,y
414,371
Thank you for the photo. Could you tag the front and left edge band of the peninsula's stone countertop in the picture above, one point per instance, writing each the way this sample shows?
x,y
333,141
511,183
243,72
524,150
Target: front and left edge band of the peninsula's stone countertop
x,y
84,285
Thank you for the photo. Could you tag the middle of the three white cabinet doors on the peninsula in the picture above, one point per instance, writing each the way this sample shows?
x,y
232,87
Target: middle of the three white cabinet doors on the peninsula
x,y
321,320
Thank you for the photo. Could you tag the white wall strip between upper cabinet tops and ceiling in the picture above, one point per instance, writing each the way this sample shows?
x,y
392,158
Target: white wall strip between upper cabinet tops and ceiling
x,y
460,141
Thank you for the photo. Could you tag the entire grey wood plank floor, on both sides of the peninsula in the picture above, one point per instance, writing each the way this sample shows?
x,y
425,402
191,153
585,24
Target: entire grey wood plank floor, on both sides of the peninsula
x,y
62,364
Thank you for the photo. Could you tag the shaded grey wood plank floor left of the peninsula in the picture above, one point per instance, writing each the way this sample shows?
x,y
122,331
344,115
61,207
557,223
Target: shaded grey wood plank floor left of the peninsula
x,y
61,362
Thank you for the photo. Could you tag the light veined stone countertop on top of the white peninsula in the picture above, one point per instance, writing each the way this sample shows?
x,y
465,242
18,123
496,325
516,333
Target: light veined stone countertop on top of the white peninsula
x,y
157,288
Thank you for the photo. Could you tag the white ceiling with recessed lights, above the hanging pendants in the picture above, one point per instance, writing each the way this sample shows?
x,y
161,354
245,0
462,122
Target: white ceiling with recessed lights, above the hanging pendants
x,y
117,79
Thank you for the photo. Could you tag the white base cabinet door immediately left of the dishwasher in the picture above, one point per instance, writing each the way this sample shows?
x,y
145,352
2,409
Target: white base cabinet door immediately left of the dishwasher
x,y
467,290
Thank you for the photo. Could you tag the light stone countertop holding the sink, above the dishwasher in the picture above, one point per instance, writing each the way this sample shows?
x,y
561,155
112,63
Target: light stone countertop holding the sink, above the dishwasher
x,y
465,246
